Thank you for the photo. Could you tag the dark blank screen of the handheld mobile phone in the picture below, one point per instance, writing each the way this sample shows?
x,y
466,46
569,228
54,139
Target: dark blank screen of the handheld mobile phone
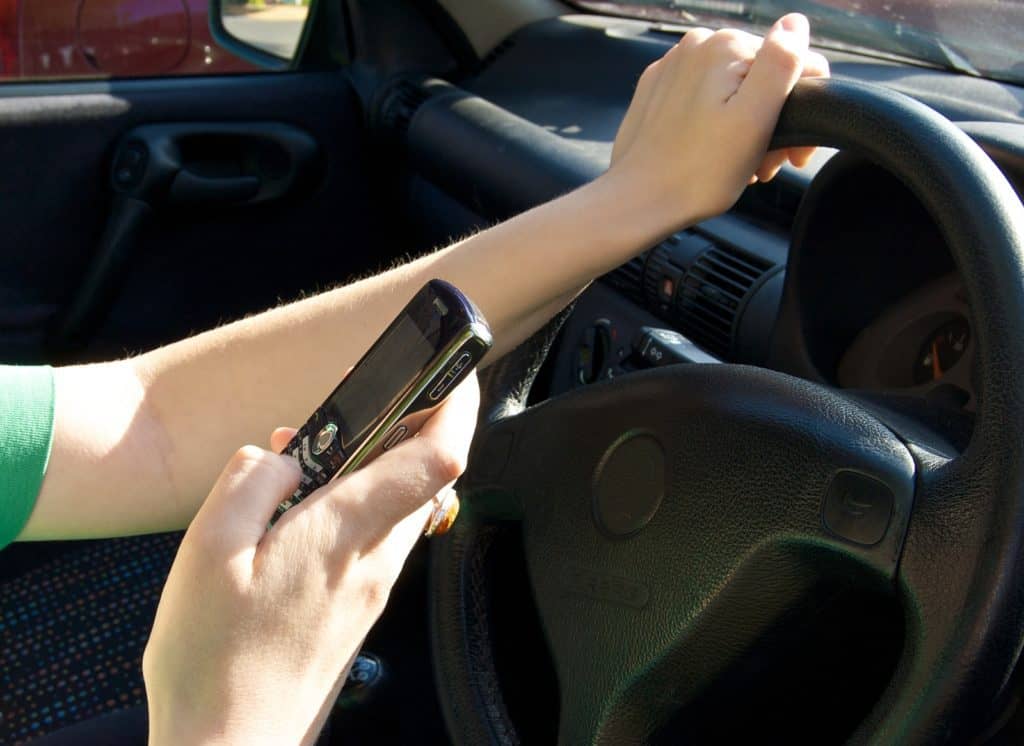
x,y
379,380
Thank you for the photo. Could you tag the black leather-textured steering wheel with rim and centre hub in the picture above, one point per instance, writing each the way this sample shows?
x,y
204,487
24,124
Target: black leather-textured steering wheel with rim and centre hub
x,y
655,506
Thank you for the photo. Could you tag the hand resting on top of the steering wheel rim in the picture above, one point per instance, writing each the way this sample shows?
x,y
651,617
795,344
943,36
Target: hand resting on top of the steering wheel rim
x,y
702,118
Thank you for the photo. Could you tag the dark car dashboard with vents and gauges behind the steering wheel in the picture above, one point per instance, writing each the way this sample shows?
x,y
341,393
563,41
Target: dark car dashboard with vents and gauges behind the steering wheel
x,y
876,306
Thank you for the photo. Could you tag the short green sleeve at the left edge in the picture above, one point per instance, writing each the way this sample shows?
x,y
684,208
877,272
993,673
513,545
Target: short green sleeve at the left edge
x,y
26,435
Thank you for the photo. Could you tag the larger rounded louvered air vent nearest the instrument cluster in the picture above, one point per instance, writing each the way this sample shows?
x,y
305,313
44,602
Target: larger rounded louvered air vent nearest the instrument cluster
x,y
711,294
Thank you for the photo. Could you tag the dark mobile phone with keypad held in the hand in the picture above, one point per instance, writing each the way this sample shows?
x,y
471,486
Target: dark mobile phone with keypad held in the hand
x,y
433,345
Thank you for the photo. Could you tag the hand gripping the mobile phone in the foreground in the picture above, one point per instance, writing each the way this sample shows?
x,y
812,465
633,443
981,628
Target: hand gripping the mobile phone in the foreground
x,y
255,630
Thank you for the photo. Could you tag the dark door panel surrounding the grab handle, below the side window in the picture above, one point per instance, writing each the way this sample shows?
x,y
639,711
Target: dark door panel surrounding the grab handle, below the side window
x,y
192,268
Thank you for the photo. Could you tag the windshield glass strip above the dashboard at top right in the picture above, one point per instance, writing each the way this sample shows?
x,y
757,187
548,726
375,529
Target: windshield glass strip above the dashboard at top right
x,y
977,37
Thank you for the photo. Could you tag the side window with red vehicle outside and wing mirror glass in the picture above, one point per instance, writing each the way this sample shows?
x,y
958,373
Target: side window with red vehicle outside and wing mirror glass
x,y
72,39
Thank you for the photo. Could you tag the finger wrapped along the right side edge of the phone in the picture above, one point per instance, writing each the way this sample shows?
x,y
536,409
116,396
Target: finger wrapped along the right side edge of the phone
x,y
368,504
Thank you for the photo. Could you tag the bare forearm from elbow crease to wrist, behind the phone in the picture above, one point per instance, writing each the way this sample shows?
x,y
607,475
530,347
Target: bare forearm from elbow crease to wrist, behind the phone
x,y
234,385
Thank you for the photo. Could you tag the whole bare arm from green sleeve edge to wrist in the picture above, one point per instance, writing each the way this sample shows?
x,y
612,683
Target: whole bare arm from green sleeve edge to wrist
x,y
139,444
